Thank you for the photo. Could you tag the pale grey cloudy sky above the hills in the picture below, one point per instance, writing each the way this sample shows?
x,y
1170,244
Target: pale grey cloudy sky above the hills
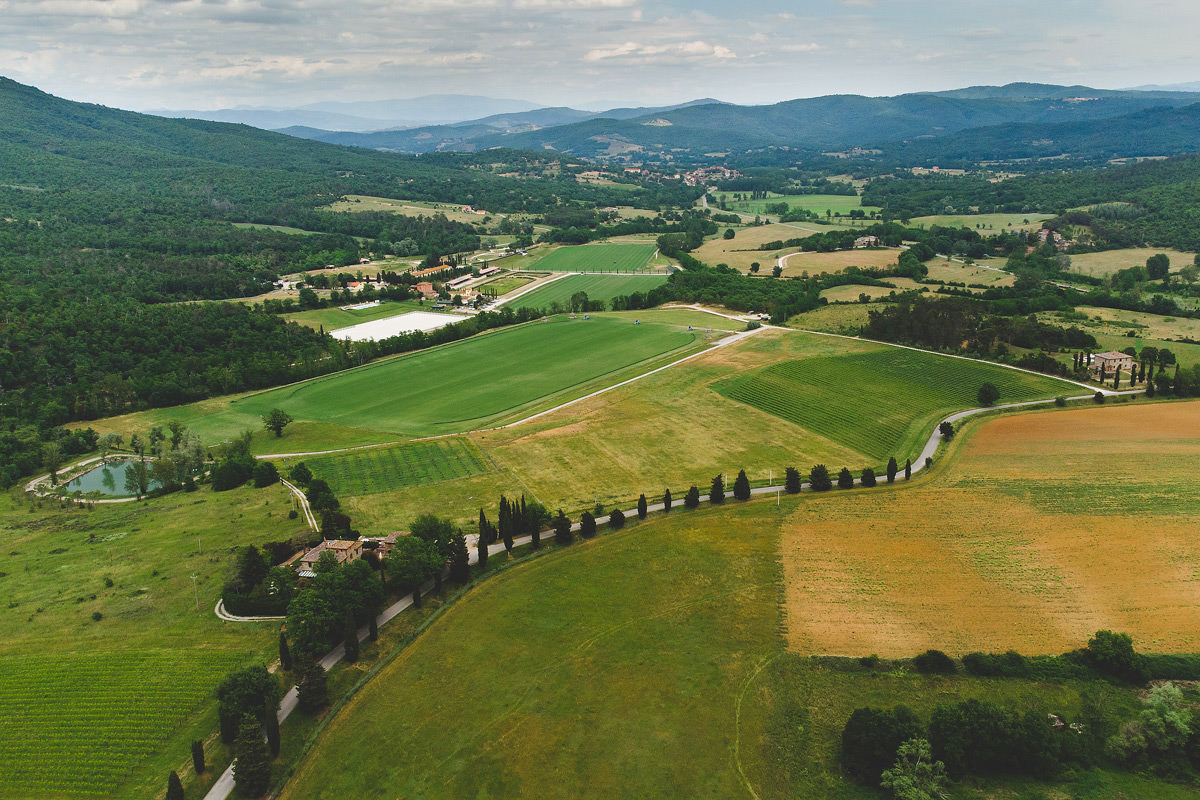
x,y
206,55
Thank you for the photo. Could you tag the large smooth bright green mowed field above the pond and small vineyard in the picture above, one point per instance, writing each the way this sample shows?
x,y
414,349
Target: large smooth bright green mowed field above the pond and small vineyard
x,y
475,383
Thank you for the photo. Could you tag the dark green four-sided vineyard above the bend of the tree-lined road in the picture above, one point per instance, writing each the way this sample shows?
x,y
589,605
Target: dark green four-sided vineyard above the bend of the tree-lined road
x,y
880,404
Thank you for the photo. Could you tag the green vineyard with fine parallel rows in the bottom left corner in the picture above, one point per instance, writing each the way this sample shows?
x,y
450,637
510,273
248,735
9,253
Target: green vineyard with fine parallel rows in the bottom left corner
x,y
77,725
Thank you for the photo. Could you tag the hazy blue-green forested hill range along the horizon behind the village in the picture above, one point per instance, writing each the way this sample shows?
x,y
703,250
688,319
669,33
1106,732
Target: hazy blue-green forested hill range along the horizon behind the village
x,y
706,129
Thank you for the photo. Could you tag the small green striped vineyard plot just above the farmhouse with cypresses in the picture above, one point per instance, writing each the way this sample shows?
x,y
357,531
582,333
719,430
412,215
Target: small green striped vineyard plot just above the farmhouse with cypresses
x,y
387,470
